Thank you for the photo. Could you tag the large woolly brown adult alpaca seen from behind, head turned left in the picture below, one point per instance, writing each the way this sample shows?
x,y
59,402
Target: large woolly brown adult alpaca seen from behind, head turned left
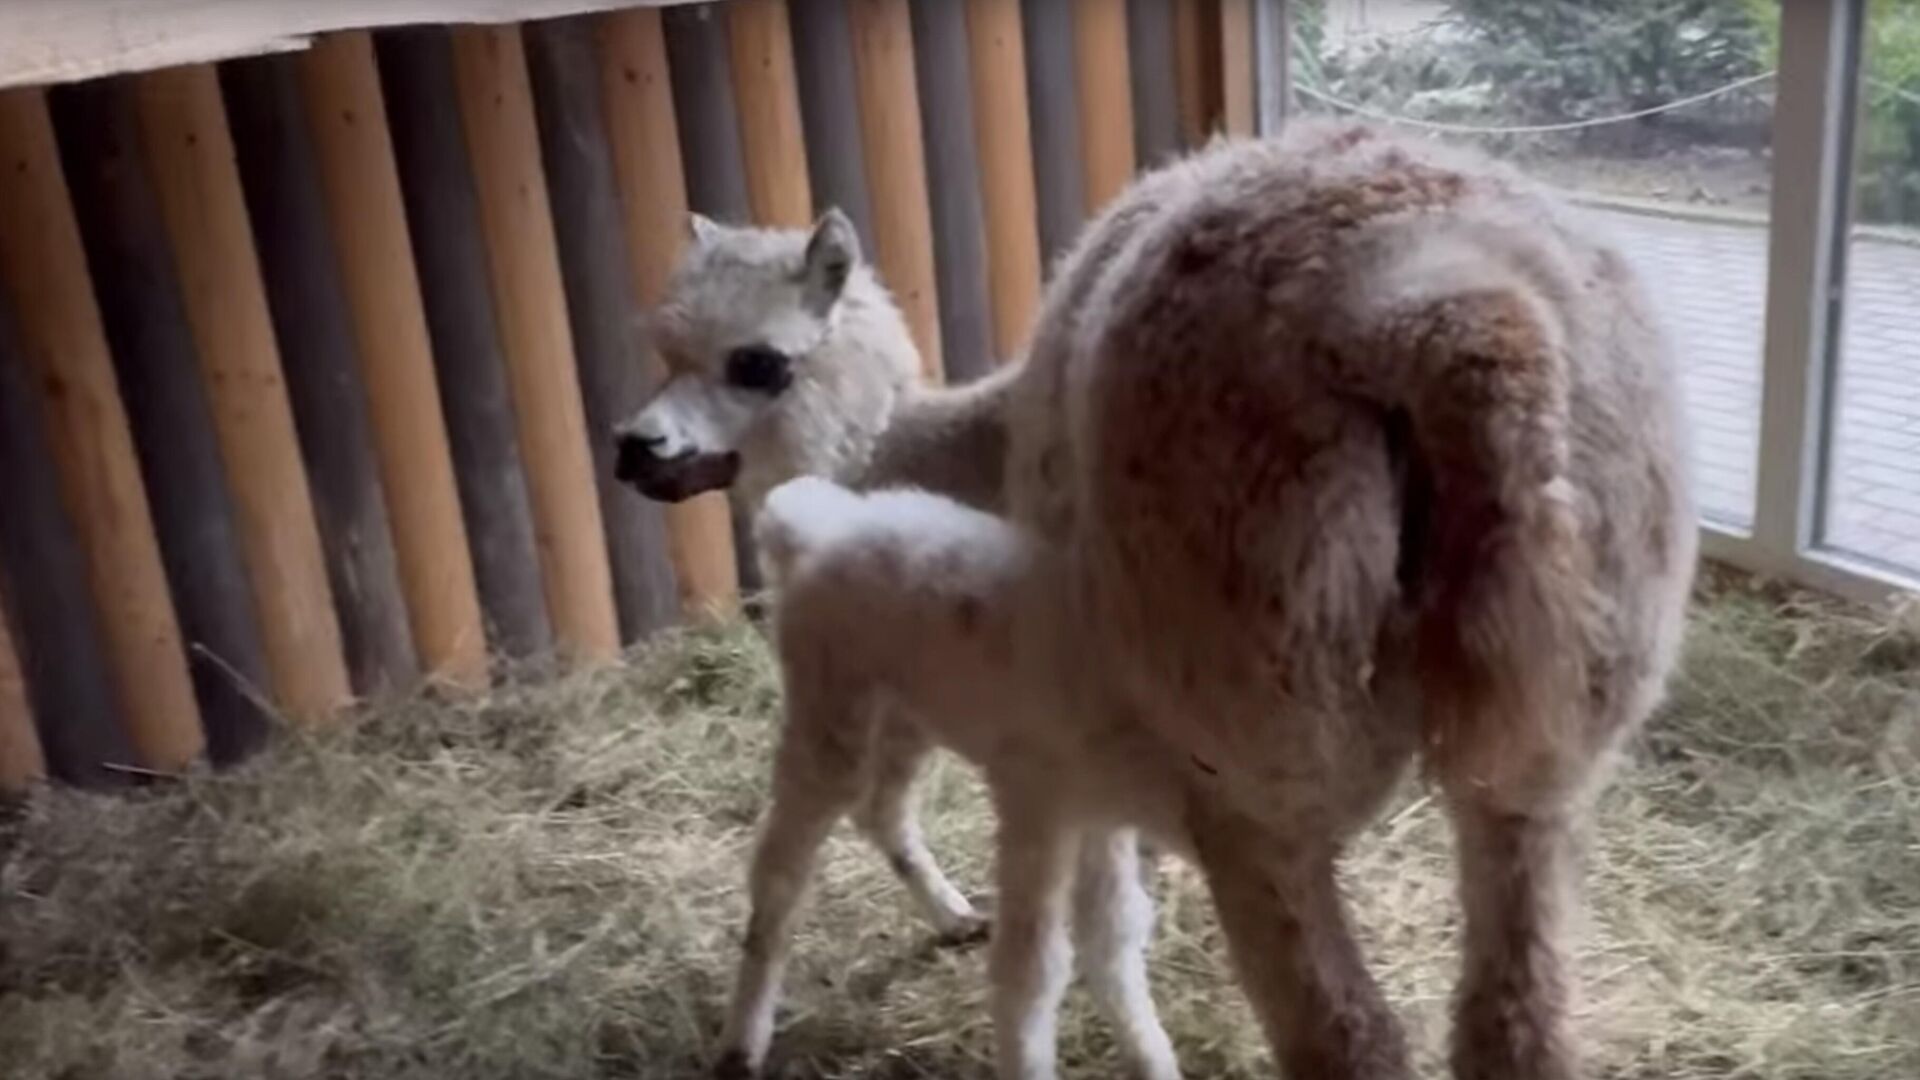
x,y
1356,451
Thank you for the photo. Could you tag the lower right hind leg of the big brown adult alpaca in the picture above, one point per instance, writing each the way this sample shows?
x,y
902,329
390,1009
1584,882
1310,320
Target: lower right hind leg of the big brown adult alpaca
x,y
1514,998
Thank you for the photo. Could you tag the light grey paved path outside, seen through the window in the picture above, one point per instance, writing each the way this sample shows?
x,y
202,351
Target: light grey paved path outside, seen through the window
x,y
1712,283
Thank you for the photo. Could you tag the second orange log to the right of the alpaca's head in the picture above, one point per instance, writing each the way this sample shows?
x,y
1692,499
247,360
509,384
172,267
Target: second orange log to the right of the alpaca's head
x,y
997,59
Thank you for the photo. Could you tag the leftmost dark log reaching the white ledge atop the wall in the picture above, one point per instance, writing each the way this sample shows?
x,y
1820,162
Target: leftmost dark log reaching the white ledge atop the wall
x,y
158,370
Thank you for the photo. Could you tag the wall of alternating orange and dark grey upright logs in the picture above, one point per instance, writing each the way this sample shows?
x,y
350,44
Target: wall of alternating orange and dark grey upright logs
x,y
310,364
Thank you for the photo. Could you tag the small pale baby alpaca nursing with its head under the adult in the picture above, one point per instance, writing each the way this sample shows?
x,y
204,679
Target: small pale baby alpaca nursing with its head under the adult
x,y
948,614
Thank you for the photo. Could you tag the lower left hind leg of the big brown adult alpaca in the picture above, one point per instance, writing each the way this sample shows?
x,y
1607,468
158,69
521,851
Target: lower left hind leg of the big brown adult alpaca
x,y
1301,966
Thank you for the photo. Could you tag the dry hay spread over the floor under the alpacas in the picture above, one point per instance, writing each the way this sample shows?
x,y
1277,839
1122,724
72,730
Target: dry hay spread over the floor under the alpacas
x,y
548,885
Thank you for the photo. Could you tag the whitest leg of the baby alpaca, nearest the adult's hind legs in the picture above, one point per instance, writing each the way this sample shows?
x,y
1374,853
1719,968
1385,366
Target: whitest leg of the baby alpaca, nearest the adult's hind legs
x,y
1113,925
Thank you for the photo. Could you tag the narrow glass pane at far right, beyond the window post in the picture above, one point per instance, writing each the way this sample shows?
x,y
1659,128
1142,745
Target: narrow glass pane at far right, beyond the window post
x,y
1873,491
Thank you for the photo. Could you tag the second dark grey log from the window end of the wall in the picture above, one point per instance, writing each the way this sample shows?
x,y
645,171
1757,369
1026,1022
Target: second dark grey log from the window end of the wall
x,y
1055,122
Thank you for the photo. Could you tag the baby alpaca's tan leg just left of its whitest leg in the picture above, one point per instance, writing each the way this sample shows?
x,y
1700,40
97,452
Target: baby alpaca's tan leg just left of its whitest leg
x,y
1030,960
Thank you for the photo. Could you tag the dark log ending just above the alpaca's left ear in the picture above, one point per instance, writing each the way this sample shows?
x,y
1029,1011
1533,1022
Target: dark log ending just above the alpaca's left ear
x,y
702,70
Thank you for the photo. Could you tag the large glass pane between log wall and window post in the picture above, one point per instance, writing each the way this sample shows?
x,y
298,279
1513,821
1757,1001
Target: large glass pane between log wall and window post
x,y
1658,118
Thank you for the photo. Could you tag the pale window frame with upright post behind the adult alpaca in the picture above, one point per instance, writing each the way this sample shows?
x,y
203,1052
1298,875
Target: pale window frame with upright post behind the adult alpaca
x,y
1813,141
